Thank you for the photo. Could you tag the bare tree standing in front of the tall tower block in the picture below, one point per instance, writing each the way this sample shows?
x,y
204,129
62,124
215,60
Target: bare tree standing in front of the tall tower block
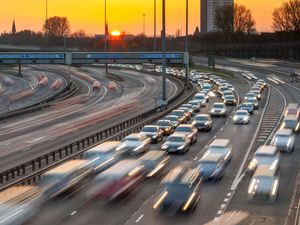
x,y
238,19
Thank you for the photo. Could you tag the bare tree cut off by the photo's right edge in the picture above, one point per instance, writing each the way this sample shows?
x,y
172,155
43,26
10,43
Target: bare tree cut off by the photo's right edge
x,y
287,17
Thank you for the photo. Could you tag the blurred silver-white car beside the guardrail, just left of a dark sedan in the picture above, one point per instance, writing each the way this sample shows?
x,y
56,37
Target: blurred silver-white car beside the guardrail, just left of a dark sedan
x,y
135,144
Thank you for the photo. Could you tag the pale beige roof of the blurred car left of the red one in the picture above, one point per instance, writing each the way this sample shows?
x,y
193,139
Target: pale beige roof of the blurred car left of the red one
x,y
68,167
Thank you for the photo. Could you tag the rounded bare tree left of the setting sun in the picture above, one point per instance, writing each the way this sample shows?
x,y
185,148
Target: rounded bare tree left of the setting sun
x,y
57,26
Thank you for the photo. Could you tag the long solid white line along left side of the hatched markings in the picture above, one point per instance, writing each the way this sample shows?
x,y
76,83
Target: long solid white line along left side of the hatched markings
x,y
237,178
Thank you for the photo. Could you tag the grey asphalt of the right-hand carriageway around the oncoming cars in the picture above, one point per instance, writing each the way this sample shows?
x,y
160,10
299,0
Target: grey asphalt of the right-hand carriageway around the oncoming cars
x,y
221,203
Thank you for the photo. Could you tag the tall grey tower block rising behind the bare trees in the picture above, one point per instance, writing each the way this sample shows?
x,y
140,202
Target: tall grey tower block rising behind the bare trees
x,y
207,11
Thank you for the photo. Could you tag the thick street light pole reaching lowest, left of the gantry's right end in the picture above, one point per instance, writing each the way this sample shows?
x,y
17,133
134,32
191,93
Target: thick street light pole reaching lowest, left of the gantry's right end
x,y
164,63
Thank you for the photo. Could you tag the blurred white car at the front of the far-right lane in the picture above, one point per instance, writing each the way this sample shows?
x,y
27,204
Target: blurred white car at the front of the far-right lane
x,y
264,184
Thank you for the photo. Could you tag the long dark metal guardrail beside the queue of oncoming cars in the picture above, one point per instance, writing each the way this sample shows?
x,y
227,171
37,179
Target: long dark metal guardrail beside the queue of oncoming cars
x,y
31,171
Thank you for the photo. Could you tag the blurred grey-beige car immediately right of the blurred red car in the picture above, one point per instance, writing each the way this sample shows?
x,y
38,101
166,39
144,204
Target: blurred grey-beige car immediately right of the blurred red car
x,y
154,162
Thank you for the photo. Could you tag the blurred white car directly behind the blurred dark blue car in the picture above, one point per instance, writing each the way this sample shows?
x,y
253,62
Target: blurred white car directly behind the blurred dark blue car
x,y
221,146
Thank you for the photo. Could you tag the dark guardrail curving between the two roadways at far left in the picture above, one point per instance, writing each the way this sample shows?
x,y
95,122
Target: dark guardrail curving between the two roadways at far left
x,y
70,88
